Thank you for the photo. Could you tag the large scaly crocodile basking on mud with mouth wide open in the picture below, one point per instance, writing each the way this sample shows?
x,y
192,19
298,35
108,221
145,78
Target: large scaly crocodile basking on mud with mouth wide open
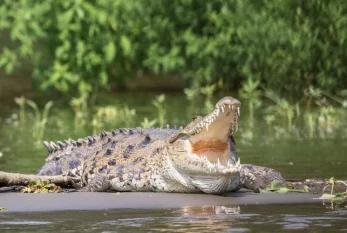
x,y
200,157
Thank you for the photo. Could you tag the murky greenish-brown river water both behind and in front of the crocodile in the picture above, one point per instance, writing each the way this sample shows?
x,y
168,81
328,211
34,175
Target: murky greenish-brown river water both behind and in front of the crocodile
x,y
293,156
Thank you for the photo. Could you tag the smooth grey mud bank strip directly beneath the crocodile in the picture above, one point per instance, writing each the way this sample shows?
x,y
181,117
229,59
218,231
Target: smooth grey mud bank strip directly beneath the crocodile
x,y
23,202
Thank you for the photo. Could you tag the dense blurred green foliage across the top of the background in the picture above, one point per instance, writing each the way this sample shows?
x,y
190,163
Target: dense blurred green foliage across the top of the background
x,y
80,45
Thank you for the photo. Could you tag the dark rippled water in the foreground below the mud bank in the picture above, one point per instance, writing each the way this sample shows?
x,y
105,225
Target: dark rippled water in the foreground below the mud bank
x,y
252,218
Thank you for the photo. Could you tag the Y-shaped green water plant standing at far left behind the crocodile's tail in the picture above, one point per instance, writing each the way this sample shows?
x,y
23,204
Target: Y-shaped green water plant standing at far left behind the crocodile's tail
x,y
40,119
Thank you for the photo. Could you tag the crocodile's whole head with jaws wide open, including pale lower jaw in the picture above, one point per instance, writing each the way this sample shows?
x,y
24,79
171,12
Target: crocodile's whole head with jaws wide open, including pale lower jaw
x,y
204,149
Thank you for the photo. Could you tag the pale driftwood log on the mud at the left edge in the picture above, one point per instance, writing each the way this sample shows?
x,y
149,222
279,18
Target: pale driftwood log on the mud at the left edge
x,y
10,179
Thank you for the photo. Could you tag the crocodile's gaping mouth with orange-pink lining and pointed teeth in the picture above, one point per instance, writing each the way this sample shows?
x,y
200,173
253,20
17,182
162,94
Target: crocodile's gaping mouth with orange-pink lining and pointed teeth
x,y
211,139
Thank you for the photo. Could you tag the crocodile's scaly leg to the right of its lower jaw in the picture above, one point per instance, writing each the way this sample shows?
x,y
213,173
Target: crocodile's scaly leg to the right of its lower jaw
x,y
255,177
